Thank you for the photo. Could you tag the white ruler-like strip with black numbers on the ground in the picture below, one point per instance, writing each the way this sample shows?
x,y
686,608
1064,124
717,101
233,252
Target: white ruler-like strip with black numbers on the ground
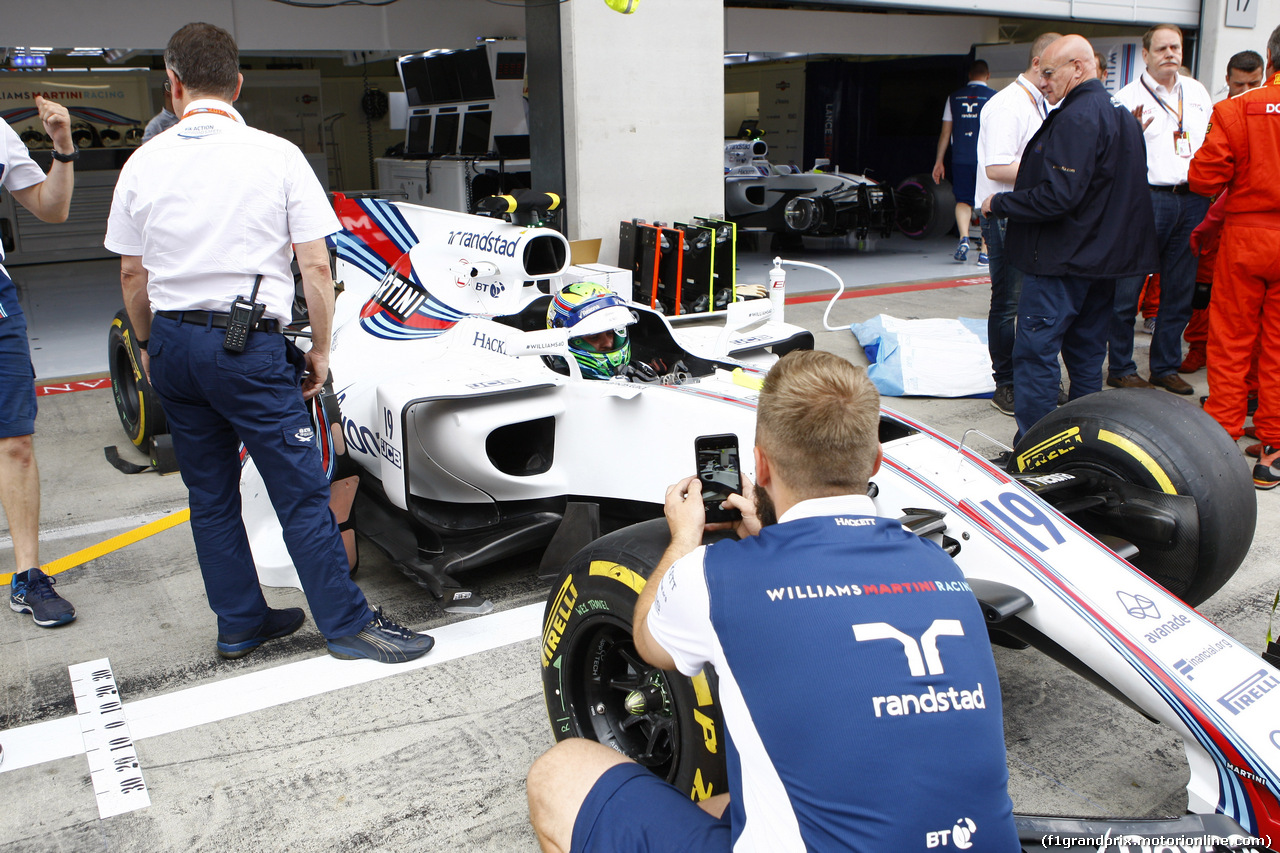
x,y
113,760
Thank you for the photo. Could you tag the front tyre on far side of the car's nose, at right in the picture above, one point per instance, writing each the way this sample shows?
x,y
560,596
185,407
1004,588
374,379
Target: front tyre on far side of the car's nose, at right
x,y
1194,517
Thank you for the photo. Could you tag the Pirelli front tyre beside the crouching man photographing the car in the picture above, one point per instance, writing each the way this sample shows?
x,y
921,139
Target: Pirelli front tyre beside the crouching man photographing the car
x,y
598,687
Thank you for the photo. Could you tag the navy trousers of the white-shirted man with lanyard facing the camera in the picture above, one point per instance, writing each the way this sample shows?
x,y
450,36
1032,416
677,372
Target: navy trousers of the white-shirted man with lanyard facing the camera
x,y
1177,218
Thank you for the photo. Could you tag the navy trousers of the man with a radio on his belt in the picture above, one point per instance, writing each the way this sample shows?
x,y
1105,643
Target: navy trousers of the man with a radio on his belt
x,y
214,400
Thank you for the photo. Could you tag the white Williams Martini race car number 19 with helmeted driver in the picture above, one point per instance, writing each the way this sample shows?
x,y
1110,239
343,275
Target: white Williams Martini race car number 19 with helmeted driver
x,y
474,436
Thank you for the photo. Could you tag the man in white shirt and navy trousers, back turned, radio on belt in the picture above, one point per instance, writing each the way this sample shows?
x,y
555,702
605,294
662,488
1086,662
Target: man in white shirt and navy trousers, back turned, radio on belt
x,y
204,216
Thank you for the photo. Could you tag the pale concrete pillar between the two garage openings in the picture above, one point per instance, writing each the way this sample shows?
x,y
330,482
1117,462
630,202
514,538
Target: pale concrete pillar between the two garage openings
x,y
644,115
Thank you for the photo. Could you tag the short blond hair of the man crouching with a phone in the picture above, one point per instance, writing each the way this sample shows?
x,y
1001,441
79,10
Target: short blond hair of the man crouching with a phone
x,y
819,419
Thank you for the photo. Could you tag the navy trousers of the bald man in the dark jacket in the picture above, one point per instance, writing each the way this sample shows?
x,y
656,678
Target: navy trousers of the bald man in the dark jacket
x,y
1059,314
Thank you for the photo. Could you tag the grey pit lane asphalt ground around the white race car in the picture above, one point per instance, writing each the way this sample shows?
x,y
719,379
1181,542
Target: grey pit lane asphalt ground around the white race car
x,y
435,759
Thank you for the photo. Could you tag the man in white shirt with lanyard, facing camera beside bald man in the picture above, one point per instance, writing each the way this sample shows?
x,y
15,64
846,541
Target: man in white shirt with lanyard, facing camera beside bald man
x,y
1174,112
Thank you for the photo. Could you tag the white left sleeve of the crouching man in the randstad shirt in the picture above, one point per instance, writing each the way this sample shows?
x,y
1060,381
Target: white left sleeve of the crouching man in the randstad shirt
x,y
680,619
